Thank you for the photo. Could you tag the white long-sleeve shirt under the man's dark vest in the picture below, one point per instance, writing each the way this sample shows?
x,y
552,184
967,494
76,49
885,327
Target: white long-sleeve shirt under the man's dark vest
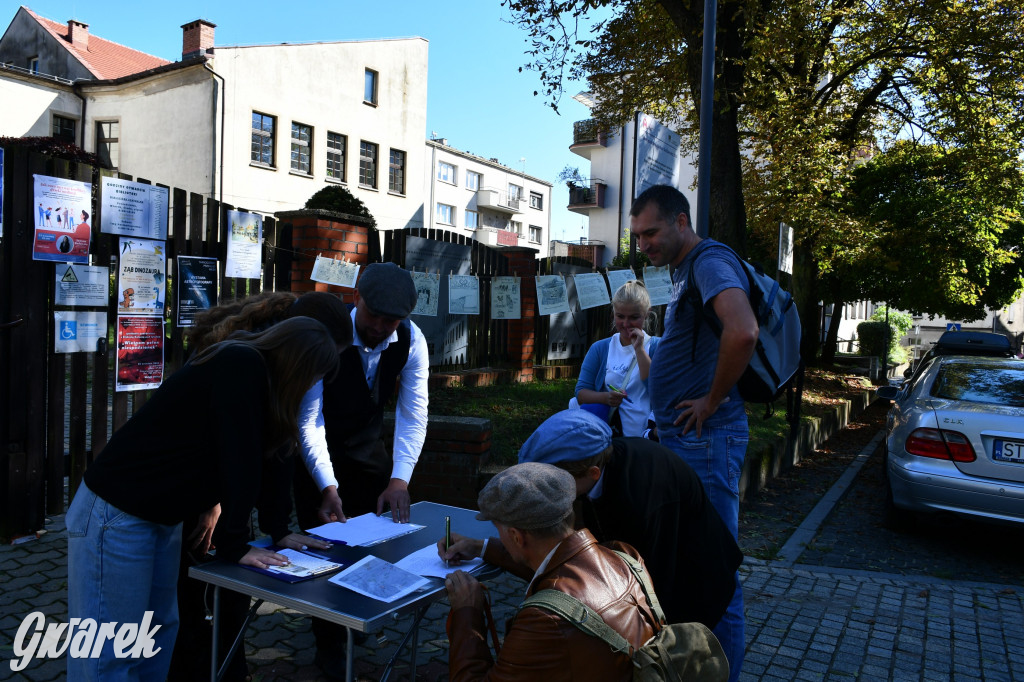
x,y
410,418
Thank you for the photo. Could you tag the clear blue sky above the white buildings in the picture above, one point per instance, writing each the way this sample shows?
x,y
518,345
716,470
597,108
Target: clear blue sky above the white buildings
x,y
477,97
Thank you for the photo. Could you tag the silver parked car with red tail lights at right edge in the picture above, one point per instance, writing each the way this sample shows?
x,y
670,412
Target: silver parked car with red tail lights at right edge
x,y
956,440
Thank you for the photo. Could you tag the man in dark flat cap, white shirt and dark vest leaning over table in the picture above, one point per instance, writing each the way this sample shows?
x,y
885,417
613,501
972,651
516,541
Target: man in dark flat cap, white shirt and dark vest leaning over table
x,y
389,354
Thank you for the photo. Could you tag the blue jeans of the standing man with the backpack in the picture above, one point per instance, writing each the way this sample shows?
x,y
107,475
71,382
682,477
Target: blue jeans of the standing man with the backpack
x,y
717,457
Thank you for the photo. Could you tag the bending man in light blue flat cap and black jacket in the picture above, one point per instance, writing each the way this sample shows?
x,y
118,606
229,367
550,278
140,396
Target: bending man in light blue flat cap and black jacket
x,y
638,492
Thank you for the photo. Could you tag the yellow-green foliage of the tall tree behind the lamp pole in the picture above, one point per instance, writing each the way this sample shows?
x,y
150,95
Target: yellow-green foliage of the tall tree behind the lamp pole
x,y
805,92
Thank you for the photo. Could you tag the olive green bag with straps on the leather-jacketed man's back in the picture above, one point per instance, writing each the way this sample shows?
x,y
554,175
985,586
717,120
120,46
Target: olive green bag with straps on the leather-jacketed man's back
x,y
680,653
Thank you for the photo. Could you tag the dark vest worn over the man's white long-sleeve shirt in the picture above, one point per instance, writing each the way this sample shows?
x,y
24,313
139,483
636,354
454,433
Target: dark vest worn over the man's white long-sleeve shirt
x,y
354,413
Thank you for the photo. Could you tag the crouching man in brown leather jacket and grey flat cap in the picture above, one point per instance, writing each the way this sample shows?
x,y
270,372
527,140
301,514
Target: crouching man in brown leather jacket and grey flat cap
x,y
531,506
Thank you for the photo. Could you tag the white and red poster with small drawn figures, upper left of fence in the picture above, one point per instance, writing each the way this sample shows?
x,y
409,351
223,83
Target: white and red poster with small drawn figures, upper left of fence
x,y
62,214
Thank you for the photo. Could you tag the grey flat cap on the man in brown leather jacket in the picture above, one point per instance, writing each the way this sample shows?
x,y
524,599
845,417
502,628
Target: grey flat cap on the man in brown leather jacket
x,y
528,496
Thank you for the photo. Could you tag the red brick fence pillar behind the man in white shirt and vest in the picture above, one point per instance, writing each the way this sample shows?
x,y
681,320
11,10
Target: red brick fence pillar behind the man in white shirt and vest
x,y
318,233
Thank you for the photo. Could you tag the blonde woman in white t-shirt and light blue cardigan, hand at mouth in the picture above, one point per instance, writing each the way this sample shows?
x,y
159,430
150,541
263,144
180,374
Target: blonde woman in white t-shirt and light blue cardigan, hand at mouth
x,y
615,372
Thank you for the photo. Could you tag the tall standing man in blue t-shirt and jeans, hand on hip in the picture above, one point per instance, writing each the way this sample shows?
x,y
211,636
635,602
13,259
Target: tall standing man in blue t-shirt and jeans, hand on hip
x,y
693,382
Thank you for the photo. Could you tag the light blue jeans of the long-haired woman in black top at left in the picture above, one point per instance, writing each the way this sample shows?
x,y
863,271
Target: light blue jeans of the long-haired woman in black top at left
x,y
120,567
